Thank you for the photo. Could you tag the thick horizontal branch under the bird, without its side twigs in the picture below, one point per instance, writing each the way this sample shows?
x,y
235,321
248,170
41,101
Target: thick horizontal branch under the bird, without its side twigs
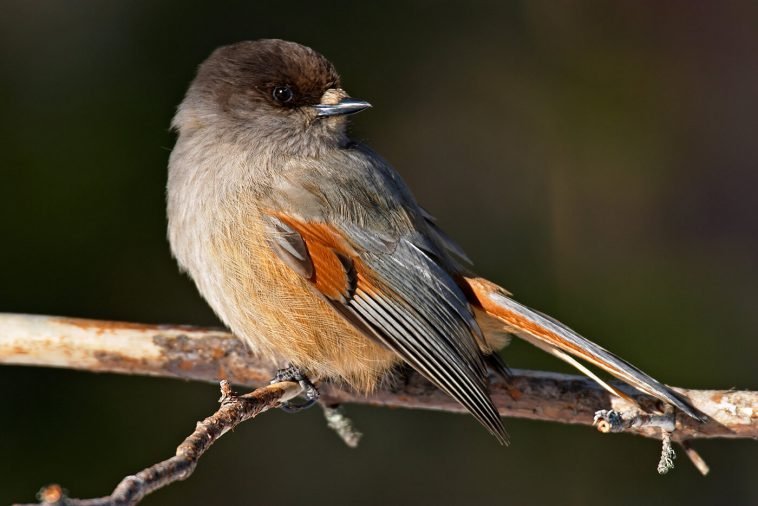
x,y
212,355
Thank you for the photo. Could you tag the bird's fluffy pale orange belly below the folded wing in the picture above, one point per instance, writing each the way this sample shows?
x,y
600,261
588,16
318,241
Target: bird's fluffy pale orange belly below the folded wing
x,y
278,313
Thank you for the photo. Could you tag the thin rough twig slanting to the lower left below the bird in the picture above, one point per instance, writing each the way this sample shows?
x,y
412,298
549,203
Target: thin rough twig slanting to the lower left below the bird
x,y
233,411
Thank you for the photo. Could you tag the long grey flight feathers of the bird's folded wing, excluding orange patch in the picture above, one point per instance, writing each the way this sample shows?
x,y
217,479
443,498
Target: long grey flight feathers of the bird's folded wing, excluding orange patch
x,y
423,316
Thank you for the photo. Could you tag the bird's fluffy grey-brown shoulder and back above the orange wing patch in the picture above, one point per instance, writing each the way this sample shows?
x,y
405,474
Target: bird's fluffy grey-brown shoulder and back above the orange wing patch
x,y
361,197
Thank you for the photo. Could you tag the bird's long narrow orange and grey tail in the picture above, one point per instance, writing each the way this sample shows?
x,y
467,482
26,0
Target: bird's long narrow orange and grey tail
x,y
559,340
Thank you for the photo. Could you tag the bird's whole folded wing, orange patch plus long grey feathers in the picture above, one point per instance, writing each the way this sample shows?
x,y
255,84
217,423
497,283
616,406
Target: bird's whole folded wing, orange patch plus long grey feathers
x,y
396,293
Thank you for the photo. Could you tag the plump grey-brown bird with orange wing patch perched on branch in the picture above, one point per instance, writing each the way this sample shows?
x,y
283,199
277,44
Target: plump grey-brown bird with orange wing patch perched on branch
x,y
311,248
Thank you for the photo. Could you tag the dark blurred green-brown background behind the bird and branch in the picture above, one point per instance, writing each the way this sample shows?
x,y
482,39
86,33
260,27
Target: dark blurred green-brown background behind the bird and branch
x,y
599,159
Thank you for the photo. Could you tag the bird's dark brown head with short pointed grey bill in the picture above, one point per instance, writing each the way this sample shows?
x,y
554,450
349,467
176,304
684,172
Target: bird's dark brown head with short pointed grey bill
x,y
275,89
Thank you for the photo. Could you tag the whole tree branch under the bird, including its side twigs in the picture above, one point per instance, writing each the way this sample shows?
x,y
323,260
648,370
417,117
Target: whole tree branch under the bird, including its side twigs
x,y
210,355
